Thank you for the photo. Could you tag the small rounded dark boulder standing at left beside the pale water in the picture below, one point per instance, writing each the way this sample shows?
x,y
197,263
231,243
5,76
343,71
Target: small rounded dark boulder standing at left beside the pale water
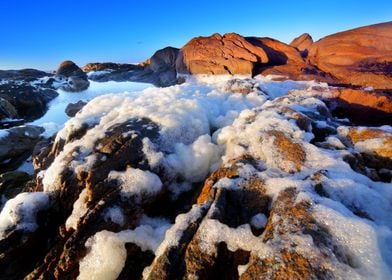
x,y
72,77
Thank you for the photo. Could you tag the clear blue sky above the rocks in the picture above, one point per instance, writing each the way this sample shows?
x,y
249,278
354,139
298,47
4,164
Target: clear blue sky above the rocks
x,y
42,33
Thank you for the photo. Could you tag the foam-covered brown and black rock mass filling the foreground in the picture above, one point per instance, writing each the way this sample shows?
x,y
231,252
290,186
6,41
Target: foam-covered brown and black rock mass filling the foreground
x,y
215,178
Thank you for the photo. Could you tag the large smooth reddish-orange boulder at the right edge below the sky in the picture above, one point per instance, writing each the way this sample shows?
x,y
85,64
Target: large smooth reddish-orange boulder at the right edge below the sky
x,y
361,56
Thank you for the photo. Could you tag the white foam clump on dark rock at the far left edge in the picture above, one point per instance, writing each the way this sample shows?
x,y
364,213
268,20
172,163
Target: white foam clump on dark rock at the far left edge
x,y
20,212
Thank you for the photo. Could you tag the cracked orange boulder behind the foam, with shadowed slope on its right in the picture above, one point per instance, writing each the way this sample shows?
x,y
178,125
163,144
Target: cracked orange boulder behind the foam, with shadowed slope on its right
x,y
234,54
